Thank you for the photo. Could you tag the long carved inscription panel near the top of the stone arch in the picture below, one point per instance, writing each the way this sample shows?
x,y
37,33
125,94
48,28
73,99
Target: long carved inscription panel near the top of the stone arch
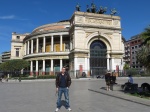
x,y
98,21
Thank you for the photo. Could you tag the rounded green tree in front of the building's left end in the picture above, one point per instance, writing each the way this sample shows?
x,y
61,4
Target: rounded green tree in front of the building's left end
x,y
13,65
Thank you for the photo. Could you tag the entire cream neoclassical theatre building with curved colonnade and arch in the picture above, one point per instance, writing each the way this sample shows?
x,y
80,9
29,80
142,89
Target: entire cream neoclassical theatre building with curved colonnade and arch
x,y
88,42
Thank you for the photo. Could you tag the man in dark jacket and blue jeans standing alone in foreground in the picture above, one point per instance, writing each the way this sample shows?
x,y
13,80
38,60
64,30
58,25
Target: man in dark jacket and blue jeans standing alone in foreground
x,y
63,82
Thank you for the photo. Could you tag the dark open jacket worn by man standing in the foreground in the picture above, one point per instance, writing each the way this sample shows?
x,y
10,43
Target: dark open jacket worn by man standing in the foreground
x,y
67,78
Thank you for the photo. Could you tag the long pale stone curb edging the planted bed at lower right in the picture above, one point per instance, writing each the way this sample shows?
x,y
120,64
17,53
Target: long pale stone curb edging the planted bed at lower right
x,y
124,97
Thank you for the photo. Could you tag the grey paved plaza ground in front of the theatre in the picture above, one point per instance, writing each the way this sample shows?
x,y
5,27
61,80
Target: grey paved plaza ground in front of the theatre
x,y
85,96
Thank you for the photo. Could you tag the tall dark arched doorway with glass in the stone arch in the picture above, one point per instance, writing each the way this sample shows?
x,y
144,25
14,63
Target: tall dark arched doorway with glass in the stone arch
x,y
98,59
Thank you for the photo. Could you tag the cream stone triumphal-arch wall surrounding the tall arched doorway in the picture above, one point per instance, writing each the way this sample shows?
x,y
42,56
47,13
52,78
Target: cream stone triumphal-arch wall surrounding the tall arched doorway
x,y
88,27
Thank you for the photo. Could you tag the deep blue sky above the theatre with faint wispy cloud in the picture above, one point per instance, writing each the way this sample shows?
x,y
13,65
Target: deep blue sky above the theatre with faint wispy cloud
x,y
22,16
